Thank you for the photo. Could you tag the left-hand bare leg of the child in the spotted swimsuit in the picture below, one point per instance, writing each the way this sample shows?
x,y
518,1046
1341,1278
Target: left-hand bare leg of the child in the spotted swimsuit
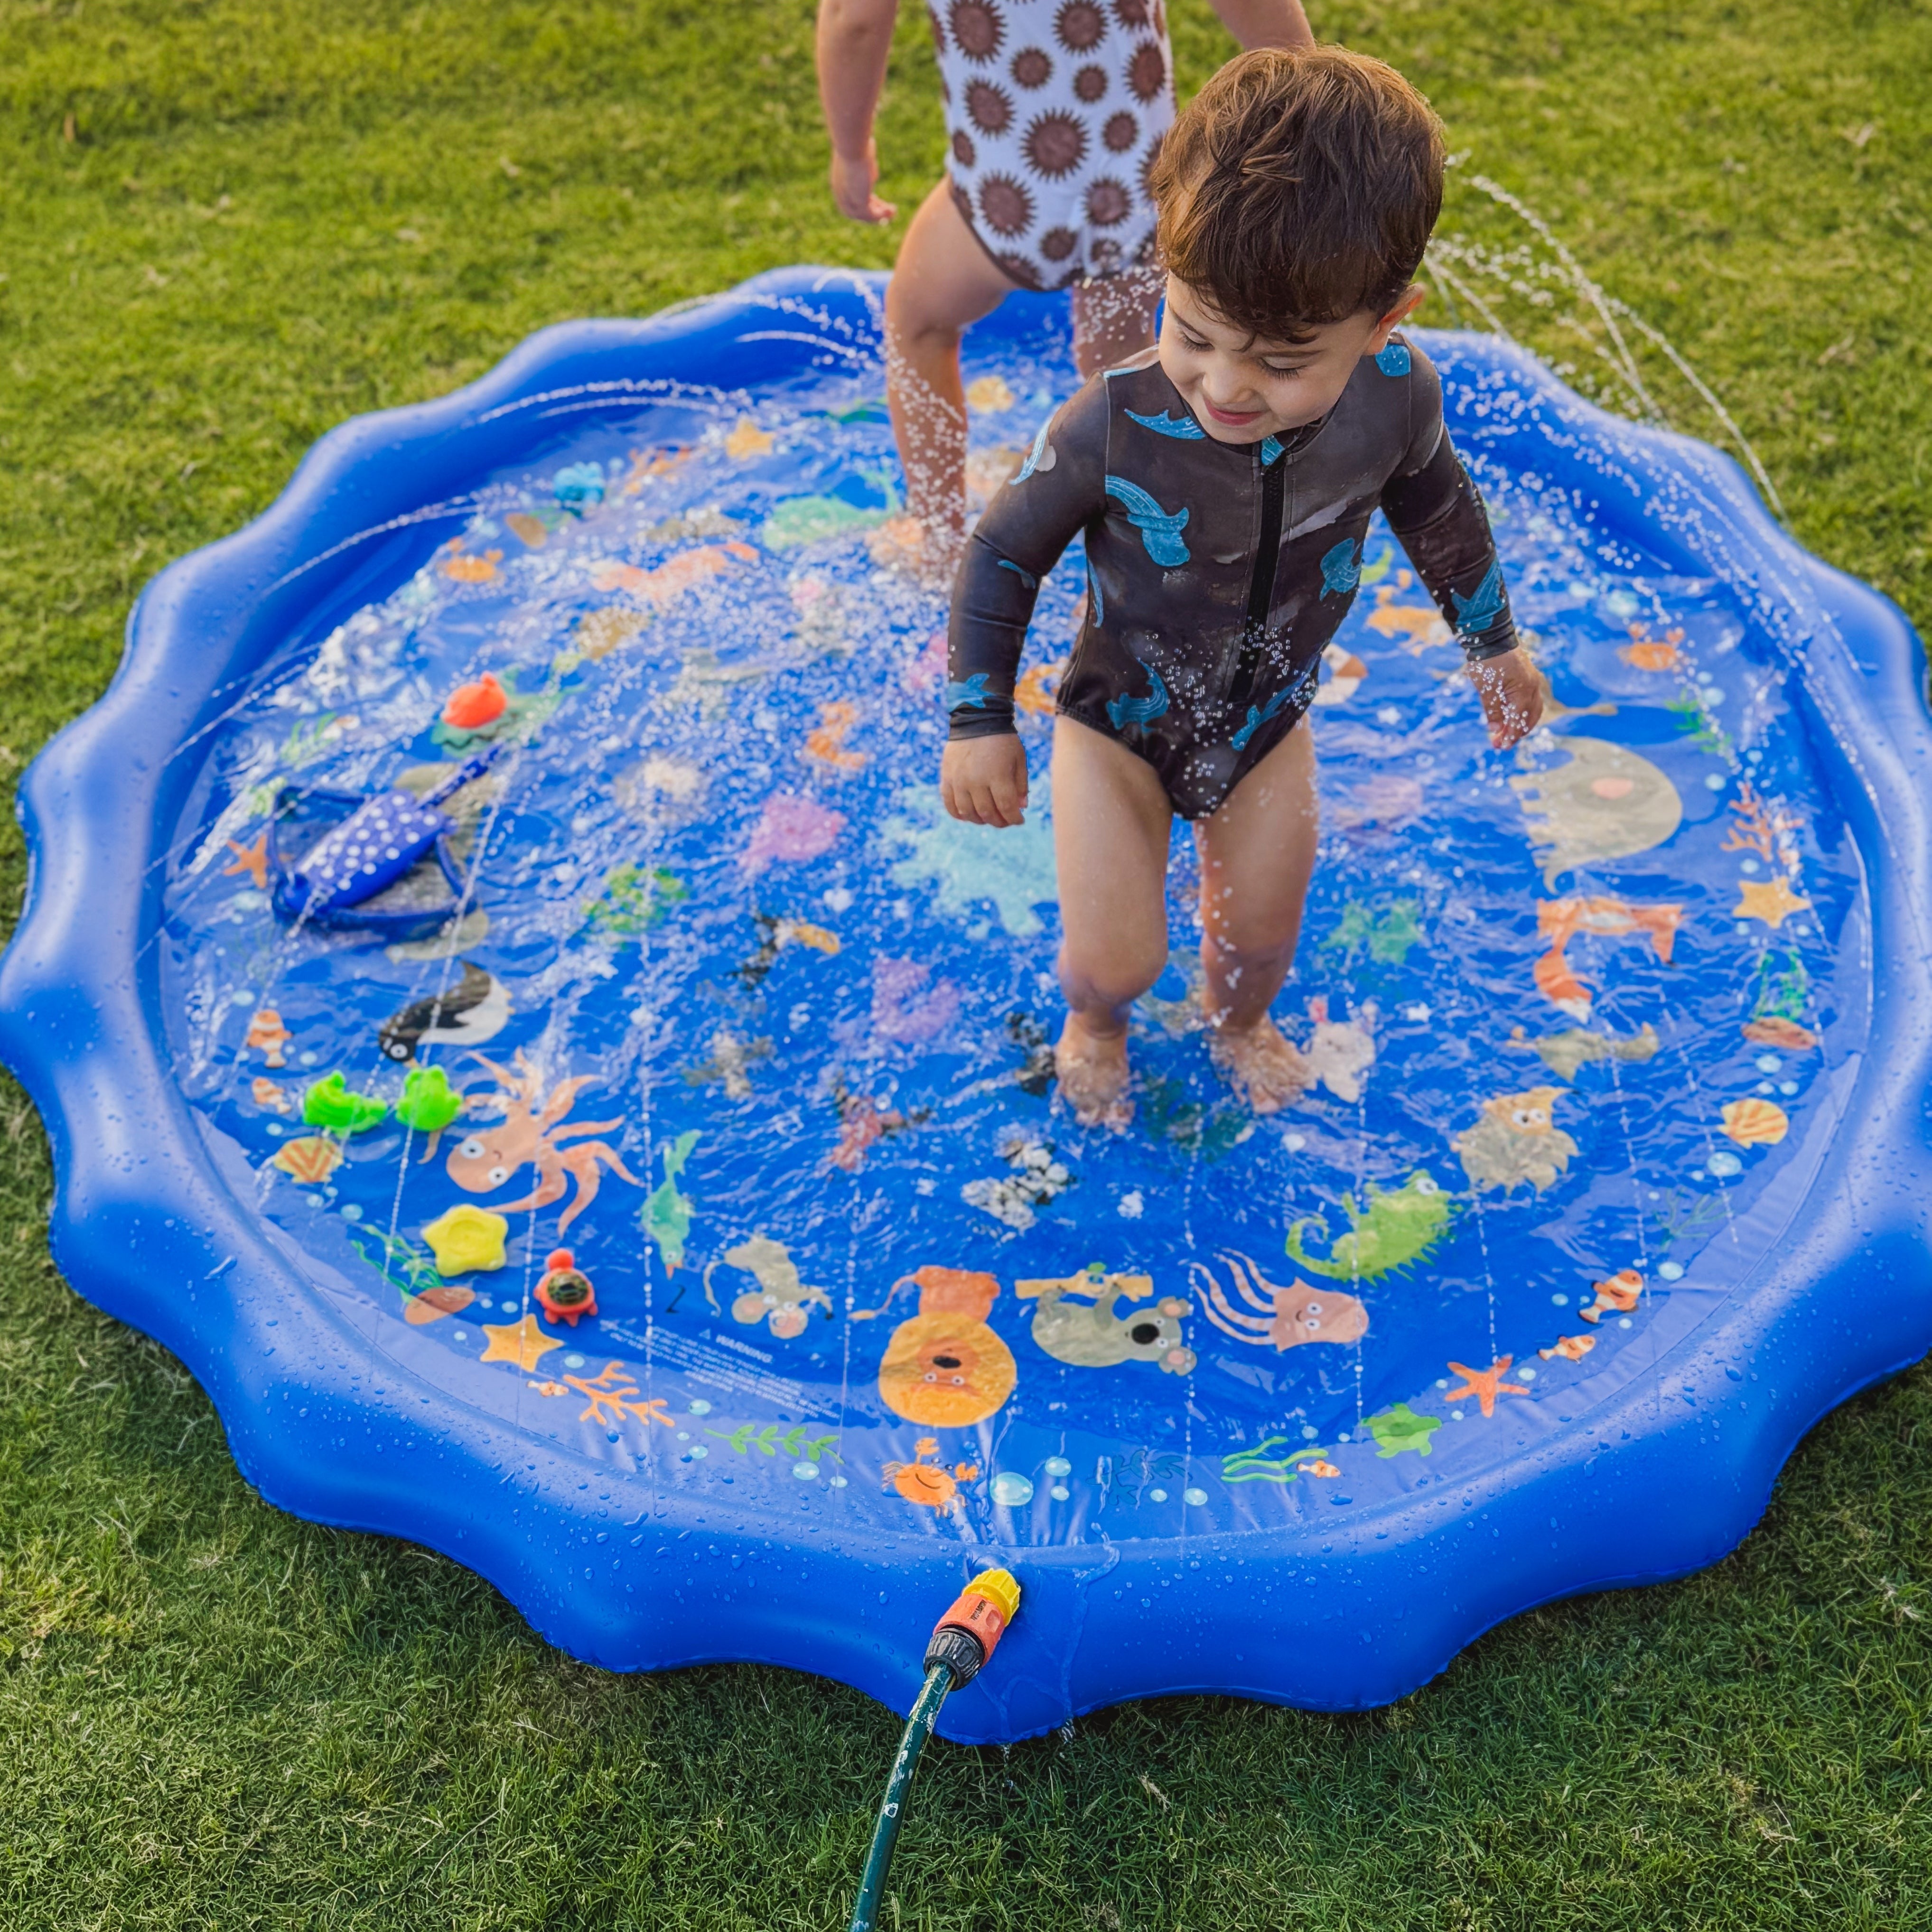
x,y
940,283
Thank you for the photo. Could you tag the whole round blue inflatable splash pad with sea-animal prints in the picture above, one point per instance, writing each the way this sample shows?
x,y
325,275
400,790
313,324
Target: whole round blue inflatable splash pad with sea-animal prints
x,y
515,1019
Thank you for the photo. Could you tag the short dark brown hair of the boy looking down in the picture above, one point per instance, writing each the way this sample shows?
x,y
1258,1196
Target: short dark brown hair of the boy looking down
x,y
1299,188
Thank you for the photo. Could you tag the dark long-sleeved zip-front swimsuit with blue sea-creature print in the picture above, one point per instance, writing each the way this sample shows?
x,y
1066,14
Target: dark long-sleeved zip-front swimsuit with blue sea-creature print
x,y
1216,571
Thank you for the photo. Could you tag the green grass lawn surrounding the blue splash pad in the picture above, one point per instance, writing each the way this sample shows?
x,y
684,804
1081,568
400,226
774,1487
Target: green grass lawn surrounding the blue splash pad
x,y
227,225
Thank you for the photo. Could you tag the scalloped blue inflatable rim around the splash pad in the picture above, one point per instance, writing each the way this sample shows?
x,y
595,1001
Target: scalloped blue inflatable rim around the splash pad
x,y
1661,1481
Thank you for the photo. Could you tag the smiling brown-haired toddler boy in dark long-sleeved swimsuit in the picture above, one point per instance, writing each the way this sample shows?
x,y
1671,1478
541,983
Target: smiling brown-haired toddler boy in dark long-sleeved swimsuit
x,y
1224,482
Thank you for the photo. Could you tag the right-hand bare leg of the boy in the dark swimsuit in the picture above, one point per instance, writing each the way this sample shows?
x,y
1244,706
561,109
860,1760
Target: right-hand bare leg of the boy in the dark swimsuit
x,y
1257,855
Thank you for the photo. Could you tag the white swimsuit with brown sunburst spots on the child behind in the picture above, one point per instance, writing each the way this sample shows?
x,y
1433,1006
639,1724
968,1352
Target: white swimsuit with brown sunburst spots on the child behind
x,y
1056,111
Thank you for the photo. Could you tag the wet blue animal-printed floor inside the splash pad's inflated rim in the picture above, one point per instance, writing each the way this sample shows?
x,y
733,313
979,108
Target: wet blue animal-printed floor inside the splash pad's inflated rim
x,y
735,1015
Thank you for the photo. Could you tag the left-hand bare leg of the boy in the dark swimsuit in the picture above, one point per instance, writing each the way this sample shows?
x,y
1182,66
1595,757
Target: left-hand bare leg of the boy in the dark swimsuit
x,y
1110,839
